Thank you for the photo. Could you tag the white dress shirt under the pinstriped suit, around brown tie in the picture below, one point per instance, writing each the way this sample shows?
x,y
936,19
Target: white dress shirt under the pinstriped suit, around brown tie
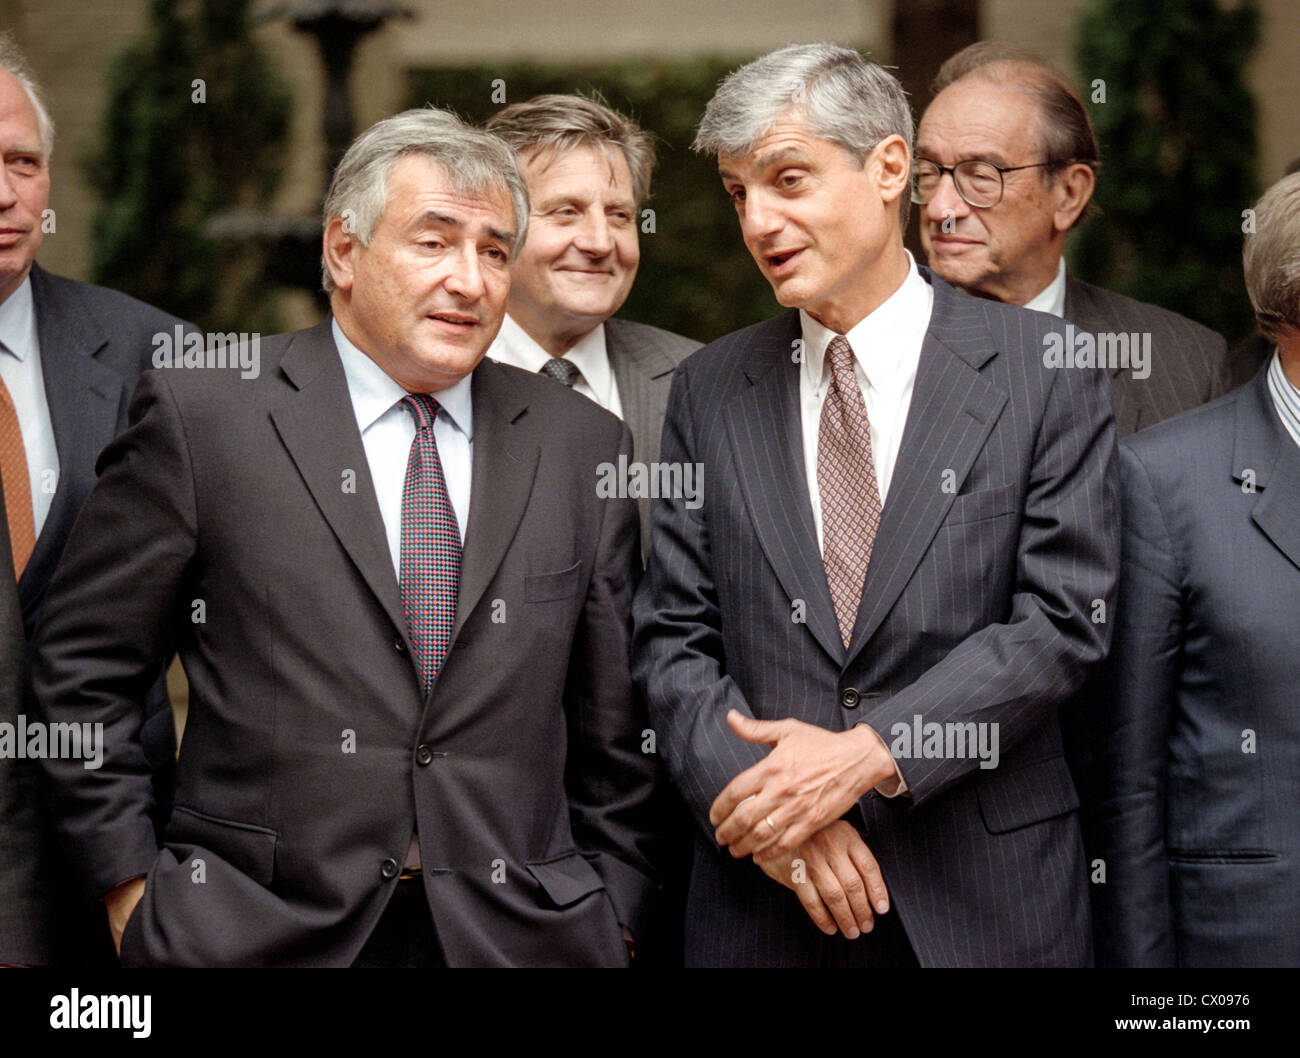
x,y
886,354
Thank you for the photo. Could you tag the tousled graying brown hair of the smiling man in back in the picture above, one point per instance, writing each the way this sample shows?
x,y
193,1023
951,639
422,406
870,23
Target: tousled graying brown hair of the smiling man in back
x,y
558,124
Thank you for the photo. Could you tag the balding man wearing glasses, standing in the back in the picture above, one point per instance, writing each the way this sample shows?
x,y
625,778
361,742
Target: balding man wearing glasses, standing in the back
x,y
1006,168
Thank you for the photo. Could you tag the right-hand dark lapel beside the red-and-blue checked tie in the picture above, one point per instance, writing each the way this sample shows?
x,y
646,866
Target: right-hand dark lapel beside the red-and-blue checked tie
x,y
502,483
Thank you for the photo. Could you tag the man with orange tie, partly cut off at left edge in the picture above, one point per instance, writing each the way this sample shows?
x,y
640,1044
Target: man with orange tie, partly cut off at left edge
x,y
70,357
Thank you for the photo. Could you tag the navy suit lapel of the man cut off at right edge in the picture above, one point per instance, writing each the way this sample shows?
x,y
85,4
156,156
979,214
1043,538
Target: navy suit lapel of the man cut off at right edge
x,y
1266,454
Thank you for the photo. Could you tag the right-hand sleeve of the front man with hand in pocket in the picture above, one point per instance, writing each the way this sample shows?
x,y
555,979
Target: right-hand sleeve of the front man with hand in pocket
x,y
609,778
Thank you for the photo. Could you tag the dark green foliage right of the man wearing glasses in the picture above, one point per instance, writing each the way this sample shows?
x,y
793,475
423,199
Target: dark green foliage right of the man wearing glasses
x,y
1178,150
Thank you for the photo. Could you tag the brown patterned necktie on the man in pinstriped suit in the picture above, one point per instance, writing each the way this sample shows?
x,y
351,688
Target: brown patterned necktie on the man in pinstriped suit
x,y
847,483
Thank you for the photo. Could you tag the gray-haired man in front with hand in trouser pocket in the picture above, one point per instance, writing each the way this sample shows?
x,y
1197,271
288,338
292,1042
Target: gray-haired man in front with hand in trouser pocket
x,y
402,608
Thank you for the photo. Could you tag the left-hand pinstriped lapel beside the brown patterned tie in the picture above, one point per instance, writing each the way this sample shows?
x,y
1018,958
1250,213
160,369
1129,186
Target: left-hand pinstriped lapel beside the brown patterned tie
x,y
764,426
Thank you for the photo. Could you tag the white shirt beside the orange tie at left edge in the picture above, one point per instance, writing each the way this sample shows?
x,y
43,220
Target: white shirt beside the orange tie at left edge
x,y
20,367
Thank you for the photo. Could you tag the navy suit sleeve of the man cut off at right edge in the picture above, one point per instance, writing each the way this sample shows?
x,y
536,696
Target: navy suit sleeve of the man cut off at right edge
x,y
1129,739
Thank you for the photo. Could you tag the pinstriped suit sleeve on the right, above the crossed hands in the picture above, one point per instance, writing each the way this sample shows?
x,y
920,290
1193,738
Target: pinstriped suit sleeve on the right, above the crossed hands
x,y
1020,671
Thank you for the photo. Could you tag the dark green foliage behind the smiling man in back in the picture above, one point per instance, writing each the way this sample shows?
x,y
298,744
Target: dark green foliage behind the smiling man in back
x,y
696,276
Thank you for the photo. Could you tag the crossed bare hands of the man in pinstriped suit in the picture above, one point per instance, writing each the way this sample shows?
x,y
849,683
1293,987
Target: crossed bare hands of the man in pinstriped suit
x,y
786,813
